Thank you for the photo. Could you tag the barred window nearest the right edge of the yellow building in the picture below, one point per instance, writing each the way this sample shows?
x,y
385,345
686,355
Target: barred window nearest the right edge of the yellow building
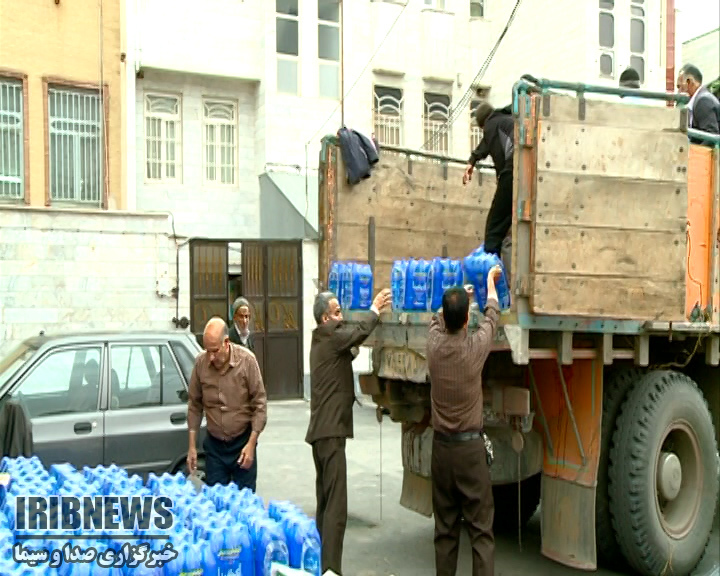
x,y
76,147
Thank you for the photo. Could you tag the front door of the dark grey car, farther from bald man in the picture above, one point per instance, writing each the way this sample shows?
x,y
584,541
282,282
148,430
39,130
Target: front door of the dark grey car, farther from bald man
x,y
61,391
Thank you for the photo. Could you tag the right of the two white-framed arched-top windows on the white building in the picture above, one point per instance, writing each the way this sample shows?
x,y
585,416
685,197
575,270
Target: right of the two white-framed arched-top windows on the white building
x,y
220,141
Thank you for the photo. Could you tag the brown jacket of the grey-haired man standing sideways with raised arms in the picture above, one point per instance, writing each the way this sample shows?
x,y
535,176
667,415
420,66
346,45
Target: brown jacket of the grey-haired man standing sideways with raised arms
x,y
332,386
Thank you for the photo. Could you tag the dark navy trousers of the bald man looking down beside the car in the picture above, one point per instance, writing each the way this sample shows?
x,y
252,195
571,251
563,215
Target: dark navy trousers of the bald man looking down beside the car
x,y
221,466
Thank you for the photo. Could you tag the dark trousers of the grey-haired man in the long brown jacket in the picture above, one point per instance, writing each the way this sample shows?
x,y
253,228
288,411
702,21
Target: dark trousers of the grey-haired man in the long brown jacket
x,y
331,492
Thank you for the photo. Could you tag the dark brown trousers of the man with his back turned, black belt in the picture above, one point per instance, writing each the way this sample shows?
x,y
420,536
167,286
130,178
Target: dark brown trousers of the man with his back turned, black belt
x,y
462,487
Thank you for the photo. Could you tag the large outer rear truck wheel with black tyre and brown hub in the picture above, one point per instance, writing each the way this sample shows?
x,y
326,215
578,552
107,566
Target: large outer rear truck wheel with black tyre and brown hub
x,y
663,475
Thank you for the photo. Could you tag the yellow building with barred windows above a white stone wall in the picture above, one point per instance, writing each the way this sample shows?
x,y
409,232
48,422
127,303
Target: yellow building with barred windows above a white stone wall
x,y
71,257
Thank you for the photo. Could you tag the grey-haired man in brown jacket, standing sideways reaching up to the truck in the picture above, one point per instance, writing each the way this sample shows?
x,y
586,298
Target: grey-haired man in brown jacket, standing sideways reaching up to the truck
x,y
332,393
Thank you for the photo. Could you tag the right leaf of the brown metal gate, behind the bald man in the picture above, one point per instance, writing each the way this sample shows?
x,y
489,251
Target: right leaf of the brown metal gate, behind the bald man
x,y
272,282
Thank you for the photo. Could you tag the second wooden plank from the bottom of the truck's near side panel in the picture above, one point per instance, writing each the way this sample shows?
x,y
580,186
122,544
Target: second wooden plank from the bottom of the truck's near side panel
x,y
610,252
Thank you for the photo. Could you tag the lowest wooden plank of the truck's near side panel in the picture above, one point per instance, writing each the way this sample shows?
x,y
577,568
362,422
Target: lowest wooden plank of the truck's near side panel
x,y
619,298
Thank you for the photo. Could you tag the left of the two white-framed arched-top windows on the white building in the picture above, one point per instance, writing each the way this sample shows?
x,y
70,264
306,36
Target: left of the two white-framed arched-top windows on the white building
x,y
162,137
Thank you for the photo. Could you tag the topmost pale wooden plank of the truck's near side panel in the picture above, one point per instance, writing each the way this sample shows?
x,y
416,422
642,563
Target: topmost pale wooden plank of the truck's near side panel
x,y
565,107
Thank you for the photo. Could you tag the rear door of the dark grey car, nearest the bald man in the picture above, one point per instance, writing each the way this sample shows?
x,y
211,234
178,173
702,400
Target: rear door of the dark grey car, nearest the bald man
x,y
146,418
